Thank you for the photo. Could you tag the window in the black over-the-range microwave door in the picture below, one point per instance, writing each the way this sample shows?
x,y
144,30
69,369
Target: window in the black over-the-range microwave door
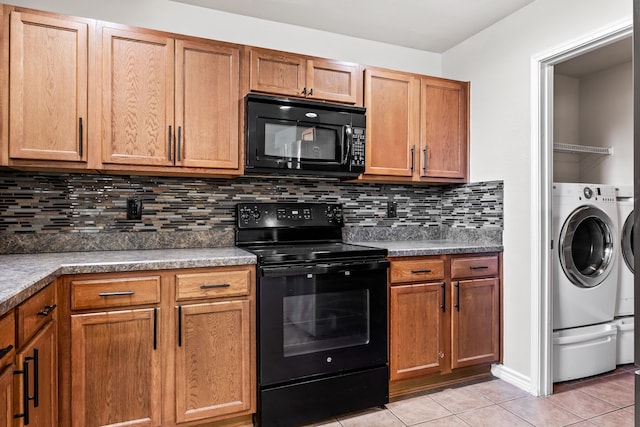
x,y
300,141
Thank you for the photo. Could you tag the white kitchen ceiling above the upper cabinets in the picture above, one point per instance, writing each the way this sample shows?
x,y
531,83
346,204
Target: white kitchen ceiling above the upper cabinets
x,y
430,25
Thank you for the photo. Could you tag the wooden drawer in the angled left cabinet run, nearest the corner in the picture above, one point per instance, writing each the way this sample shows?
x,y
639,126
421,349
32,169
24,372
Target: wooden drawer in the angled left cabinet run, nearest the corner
x,y
35,312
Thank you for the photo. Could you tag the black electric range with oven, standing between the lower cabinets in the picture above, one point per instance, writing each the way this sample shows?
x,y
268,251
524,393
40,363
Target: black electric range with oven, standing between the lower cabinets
x,y
321,314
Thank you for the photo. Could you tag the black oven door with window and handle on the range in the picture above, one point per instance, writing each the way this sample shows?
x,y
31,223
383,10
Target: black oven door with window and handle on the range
x,y
321,319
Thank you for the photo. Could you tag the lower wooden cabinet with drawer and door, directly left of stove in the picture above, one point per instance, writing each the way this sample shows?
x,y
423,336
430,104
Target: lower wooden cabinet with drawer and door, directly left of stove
x,y
215,339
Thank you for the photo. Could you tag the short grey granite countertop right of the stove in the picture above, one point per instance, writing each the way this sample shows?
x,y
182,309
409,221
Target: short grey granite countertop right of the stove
x,y
397,248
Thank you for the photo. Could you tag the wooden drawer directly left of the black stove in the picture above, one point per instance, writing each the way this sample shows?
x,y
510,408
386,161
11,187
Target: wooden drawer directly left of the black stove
x,y
213,284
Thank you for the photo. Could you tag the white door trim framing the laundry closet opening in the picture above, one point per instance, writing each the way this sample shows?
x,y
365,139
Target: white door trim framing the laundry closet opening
x,y
579,53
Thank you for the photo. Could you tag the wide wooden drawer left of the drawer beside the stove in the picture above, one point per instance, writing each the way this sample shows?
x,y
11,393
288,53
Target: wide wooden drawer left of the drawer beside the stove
x,y
114,292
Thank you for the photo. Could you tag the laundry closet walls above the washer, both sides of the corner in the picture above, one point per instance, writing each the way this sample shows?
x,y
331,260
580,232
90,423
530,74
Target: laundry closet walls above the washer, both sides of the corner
x,y
596,110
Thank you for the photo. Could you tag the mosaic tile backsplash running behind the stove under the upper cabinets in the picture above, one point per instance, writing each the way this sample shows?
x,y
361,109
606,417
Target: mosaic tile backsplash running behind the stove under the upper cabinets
x,y
45,212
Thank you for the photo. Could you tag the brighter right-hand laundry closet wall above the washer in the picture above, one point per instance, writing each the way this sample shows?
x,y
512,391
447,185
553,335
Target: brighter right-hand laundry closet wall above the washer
x,y
606,120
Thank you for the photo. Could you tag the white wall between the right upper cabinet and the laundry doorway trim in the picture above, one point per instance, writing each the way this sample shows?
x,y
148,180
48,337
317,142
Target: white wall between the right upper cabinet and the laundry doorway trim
x,y
497,61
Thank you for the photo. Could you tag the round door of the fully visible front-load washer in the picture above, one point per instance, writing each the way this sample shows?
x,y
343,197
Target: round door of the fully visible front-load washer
x,y
586,246
